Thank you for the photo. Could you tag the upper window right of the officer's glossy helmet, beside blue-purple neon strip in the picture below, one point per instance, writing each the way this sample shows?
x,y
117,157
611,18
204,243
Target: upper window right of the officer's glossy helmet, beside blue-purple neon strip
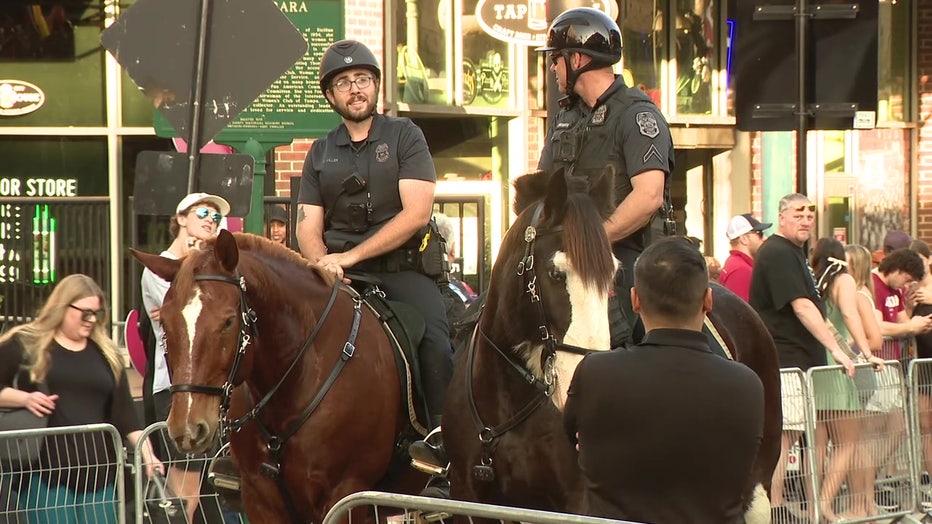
x,y
694,44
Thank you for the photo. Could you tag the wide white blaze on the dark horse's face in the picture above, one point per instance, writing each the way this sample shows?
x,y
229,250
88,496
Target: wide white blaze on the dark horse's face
x,y
588,325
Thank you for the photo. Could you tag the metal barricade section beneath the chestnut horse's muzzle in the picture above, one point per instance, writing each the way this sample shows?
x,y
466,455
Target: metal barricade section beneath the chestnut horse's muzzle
x,y
158,501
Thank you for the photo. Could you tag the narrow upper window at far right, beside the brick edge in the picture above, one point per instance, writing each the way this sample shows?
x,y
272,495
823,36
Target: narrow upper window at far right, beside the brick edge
x,y
893,65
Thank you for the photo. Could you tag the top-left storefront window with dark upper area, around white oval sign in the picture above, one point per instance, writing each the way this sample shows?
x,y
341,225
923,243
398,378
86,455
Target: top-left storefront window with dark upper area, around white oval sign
x,y
55,46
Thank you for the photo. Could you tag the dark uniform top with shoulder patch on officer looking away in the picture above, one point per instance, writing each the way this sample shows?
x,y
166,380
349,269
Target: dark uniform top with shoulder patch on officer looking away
x,y
624,129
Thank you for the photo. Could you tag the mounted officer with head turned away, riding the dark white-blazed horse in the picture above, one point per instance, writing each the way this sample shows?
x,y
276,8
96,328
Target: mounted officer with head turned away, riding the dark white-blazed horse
x,y
604,122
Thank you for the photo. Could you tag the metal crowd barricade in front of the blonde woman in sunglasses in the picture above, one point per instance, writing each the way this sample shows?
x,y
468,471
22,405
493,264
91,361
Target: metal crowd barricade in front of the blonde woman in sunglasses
x,y
92,462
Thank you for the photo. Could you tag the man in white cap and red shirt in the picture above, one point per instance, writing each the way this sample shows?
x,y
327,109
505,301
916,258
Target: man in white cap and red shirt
x,y
746,235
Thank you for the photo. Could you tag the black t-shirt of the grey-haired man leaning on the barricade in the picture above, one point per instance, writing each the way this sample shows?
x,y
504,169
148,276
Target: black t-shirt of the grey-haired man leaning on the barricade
x,y
780,275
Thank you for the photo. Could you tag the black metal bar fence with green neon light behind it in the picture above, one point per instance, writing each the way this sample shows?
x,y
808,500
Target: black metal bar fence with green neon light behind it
x,y
43,240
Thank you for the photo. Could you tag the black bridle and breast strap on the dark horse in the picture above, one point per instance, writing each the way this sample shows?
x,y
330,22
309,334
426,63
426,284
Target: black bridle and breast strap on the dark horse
x,y
527,271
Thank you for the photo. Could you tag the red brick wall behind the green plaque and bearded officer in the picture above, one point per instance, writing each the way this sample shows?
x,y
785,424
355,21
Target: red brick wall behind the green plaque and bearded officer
x,y
364,23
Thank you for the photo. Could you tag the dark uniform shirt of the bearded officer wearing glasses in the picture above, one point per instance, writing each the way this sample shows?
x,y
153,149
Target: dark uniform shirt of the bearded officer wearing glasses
x,y
395,149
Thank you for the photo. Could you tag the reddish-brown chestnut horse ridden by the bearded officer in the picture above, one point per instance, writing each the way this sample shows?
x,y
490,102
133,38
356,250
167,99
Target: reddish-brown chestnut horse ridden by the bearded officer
x,y
320,370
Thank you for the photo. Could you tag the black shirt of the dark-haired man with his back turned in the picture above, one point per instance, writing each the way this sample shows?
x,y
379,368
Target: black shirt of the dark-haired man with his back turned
x,y
668,431
